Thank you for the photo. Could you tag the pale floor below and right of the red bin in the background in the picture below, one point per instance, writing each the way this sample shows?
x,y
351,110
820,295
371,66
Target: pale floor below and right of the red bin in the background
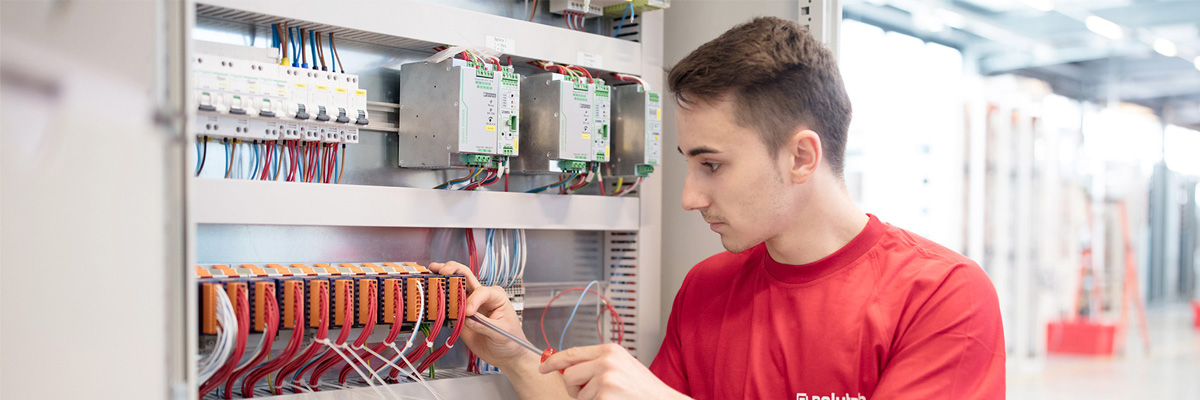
x,y
1171,371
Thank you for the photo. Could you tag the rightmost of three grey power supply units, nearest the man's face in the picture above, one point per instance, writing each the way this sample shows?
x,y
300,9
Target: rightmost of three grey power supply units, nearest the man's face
x,y
637,132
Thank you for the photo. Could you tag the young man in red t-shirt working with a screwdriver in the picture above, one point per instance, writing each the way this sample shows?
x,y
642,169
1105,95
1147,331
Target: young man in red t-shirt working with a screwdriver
x,y
814,298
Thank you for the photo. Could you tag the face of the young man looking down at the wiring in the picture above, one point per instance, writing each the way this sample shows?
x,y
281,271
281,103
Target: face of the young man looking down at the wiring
x,y
740,189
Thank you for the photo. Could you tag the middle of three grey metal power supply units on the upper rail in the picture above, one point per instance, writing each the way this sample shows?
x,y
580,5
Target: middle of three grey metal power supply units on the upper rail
x,y
559,124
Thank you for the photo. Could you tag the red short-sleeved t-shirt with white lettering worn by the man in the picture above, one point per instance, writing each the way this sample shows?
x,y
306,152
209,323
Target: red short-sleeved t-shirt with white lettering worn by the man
x,y
889,317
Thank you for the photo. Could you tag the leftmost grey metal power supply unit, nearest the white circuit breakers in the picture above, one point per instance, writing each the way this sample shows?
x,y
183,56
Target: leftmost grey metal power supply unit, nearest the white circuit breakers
x,y
458,114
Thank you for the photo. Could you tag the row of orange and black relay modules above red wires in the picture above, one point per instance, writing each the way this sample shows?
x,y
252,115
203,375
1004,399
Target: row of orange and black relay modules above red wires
x,y
345,288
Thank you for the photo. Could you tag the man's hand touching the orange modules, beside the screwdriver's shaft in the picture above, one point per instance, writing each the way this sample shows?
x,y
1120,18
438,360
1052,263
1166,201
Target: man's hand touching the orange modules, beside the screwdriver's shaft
x,y
493,305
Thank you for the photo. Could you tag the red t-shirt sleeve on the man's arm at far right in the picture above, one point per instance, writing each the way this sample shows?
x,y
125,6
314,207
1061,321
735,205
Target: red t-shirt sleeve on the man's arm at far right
x,y
953,347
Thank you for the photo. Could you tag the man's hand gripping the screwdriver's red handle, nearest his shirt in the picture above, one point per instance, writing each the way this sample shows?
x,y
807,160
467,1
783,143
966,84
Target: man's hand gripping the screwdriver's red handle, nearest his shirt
x,y
607,372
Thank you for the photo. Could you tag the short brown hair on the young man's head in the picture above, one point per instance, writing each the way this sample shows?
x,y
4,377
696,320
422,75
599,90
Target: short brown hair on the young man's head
x,y
778,77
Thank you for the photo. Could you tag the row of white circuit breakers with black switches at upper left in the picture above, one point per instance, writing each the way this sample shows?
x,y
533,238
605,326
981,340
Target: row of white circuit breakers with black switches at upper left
x,y
266,102
